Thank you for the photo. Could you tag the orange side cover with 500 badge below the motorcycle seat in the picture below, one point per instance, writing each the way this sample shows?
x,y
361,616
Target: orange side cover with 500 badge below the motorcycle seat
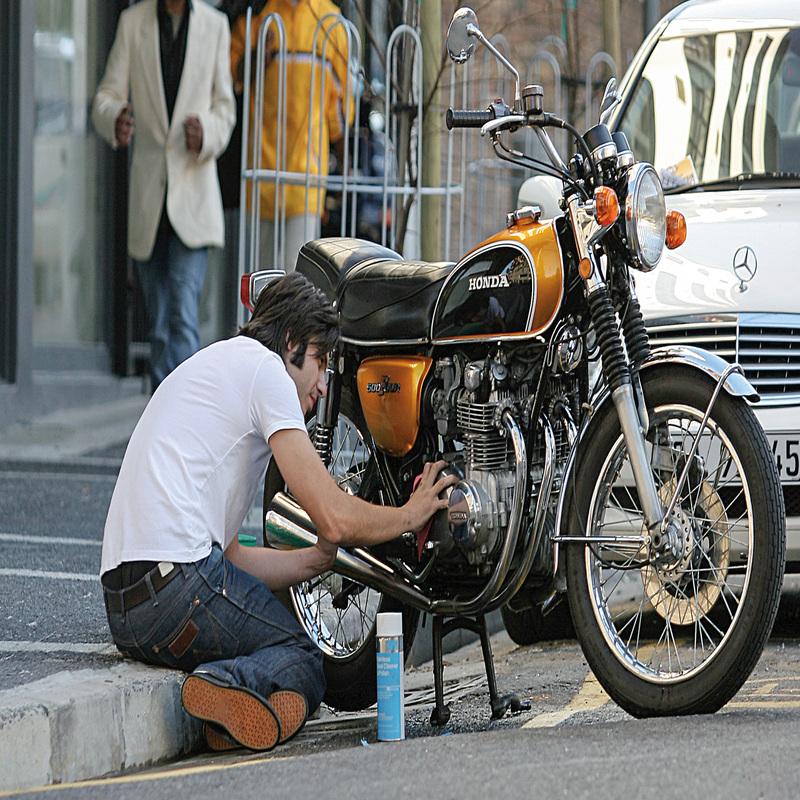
x,y
390,389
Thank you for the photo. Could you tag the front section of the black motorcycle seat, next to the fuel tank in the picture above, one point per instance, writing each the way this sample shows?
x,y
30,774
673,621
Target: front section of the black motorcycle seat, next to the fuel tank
x,y
390,300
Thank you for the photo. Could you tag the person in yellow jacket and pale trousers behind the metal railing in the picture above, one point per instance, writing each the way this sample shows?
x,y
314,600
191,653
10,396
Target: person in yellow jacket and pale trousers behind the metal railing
x,y
300,19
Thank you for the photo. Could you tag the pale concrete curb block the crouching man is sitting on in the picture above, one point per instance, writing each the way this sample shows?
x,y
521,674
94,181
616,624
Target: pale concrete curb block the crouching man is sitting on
x,y
79,725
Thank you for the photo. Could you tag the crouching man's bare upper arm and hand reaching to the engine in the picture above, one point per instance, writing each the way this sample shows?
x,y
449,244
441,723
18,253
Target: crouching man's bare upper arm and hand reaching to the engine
x,y
341,518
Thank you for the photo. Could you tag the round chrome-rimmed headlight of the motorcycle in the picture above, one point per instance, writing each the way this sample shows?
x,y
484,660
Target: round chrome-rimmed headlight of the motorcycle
x,y
645,216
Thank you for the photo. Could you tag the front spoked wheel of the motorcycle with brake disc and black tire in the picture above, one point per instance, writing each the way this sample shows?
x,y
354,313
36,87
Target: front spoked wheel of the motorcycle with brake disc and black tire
x,y
677,632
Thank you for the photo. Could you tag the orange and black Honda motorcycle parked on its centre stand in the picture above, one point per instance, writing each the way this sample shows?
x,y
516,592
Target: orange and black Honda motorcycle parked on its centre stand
x,y
635,482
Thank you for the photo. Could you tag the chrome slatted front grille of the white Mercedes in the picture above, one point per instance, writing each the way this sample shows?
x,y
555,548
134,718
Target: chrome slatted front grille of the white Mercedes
x,y
767,347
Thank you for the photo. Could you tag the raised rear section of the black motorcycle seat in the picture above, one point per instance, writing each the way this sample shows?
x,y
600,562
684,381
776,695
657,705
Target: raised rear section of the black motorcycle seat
x,y
325,261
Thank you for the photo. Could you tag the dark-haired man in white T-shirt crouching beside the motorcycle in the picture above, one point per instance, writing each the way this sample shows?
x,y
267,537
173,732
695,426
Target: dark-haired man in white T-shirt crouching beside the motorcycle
x,y
180,591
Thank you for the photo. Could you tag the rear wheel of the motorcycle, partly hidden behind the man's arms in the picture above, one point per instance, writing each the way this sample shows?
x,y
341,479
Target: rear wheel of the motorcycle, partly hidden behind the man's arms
x,y
337,613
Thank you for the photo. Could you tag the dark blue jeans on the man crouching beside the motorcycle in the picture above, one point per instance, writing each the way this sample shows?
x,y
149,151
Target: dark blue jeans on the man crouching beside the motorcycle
x,y
222,619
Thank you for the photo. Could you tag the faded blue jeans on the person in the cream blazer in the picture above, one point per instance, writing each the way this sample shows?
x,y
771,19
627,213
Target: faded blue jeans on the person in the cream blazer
x,y
172,281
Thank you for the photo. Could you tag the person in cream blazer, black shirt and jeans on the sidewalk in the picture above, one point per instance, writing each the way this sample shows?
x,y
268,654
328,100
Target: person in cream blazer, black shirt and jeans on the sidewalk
x,y
170,67
